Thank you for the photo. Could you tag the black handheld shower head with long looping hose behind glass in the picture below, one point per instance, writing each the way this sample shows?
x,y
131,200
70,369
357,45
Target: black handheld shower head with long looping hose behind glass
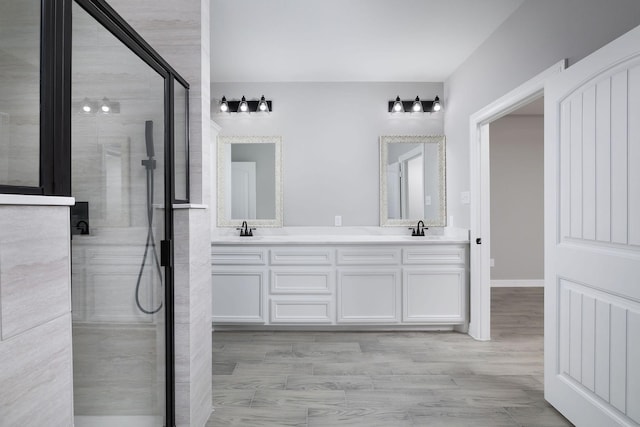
x,y
150,165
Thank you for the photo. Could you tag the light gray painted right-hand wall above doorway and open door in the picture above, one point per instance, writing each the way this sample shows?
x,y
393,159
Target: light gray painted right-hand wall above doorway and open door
x,y
539,34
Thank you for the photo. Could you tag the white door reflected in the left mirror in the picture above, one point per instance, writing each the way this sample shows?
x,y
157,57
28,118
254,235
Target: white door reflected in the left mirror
x,y
243,190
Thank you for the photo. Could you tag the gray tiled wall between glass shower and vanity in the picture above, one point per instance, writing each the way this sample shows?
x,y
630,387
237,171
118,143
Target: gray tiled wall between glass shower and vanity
x,y
179,31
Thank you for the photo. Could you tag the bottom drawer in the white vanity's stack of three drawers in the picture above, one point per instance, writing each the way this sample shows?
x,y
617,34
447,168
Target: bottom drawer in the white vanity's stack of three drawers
x,y
300,310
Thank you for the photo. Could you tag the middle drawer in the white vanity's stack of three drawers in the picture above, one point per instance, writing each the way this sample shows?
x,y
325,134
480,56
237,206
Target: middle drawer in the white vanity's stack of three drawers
x,y
301,281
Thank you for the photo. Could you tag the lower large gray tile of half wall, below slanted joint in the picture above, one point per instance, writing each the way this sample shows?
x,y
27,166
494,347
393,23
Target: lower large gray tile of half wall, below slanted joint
x,y
36,377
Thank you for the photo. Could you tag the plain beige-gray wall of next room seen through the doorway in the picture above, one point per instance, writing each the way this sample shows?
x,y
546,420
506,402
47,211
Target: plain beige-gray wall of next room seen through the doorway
x,y
517,197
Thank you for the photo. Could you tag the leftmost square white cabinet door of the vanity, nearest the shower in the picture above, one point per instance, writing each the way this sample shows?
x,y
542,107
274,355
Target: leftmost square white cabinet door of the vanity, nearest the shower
x,y
238,295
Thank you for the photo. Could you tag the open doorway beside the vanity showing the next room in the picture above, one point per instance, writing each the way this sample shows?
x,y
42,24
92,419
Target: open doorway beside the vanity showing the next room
x,y
516,149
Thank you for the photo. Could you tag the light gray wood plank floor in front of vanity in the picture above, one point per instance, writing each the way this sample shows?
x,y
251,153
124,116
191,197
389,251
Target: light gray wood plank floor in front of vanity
x,y
388,379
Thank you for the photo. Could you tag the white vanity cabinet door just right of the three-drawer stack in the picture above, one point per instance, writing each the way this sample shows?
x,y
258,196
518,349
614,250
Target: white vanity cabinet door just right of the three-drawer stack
x,y
368,296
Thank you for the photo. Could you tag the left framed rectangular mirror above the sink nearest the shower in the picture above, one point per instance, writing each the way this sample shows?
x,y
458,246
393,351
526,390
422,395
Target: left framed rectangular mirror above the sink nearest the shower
x,y
249,181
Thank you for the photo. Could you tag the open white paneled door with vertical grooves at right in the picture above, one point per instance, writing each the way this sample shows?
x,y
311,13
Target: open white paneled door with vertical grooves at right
x,y
592,237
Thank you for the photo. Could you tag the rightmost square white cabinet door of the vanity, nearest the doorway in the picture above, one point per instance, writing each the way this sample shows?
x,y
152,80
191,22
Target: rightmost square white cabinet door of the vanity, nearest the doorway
x,y
434,295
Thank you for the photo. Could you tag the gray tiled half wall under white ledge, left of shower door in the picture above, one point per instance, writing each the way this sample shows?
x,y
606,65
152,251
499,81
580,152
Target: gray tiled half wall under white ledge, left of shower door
x,y
35,317
